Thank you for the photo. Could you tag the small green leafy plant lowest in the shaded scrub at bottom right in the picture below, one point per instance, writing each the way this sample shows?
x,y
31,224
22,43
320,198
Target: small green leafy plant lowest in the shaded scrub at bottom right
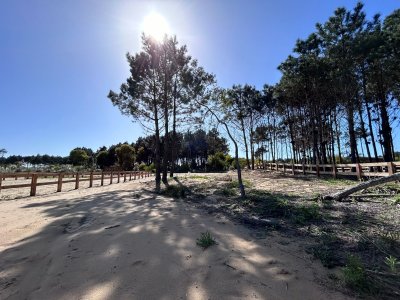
x,y
354,274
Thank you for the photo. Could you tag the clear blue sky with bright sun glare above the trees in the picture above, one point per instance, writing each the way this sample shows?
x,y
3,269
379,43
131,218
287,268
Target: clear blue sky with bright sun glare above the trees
x,y
59,59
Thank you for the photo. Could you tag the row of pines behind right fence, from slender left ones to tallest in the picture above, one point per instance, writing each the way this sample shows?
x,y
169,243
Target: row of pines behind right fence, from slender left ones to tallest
x,y
337,100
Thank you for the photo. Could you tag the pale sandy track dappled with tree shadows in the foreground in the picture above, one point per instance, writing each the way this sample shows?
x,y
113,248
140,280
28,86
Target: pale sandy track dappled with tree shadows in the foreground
x,y
123,242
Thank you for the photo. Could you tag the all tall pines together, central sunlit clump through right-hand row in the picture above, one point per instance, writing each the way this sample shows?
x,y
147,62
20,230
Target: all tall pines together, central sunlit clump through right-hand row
x,y
338,96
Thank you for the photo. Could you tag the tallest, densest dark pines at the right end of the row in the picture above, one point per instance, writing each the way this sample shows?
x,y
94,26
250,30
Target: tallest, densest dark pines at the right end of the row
x,y
340,89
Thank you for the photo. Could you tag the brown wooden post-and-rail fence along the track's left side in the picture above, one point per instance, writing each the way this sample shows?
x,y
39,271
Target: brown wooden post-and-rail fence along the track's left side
x,y
66,177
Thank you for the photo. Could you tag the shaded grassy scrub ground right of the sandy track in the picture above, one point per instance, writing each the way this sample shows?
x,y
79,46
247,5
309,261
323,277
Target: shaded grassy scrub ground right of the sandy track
x,y
359,240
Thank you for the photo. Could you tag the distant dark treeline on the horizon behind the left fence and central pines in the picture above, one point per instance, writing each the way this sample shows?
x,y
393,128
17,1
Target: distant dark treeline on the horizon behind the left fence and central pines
x,y
196,151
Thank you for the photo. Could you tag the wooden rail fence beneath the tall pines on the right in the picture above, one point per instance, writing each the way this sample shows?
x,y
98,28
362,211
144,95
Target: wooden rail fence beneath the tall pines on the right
x,y
361,170
